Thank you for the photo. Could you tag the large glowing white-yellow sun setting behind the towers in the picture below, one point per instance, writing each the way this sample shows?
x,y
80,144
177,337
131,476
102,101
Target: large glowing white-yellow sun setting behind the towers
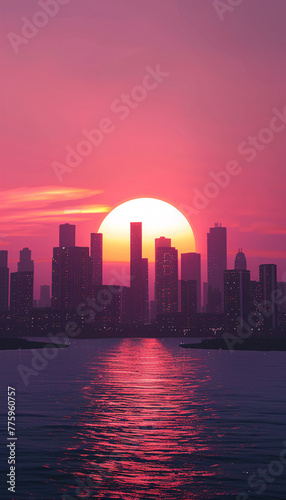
x,y
158,218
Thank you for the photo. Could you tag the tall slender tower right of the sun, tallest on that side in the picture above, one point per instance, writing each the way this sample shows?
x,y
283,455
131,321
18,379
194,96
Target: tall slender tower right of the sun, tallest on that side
x,y
217,264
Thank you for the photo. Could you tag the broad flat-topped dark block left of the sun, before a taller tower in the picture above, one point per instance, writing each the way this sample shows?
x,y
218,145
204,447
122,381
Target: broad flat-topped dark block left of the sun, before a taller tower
x,y
70,277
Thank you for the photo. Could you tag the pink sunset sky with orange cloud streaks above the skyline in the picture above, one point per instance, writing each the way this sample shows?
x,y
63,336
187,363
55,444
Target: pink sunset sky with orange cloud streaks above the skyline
x,y
225,78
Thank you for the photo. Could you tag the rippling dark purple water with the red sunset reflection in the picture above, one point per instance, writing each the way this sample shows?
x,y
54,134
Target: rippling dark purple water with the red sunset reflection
x,y
145,419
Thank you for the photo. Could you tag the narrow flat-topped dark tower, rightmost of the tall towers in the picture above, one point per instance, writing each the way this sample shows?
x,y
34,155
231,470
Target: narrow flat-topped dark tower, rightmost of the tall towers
x,y
268,282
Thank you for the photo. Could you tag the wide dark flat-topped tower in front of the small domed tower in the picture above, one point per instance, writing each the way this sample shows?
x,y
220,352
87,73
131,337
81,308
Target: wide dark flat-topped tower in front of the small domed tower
x,y
236,298
